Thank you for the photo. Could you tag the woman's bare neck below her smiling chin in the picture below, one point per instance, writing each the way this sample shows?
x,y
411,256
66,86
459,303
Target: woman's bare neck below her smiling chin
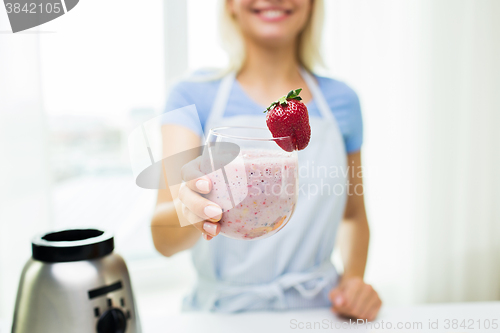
x,y
269,65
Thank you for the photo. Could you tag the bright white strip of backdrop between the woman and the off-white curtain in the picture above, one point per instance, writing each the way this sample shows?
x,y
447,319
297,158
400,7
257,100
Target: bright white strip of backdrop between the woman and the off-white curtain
x,y
374,47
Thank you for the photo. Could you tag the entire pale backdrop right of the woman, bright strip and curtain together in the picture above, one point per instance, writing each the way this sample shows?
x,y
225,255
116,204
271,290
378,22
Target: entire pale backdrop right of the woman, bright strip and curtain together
x,y
428,81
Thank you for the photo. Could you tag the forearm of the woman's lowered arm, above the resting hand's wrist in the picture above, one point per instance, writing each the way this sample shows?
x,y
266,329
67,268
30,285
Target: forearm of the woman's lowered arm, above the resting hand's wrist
x,y
354,239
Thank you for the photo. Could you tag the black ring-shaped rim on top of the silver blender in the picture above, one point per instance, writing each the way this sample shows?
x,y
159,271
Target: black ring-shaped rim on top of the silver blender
x,y
72,245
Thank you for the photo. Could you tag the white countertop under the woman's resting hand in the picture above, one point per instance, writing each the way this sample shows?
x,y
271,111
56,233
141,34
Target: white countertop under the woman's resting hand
x,y
468,317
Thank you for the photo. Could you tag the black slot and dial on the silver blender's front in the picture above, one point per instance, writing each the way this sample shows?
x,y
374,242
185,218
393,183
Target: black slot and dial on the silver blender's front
x,y
111,317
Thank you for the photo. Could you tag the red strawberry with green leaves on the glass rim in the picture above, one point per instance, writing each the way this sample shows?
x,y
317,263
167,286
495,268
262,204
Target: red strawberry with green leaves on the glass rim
x,y
288,117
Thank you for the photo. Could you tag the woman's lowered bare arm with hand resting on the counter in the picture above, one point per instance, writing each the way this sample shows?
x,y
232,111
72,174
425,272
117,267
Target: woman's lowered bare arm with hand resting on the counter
x,y
353,297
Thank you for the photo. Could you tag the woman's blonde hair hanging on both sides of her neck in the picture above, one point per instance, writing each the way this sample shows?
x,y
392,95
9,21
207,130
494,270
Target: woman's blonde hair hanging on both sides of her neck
x,y
308,46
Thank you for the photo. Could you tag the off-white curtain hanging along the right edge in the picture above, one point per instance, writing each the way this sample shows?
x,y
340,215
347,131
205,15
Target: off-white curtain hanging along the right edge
x,y
460,195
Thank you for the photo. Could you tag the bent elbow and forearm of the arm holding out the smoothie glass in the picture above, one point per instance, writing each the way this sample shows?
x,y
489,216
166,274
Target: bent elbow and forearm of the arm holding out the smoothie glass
x,y
169,237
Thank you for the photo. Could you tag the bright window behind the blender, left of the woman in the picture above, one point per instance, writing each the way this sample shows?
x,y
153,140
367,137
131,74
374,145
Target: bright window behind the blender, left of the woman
x,y
114,74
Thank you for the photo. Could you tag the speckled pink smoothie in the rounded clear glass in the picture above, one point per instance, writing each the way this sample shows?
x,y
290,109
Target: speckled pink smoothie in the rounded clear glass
x,y
263,185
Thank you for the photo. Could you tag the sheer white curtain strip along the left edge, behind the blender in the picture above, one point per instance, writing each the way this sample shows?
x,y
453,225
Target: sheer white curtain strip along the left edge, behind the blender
x,y
24,176
